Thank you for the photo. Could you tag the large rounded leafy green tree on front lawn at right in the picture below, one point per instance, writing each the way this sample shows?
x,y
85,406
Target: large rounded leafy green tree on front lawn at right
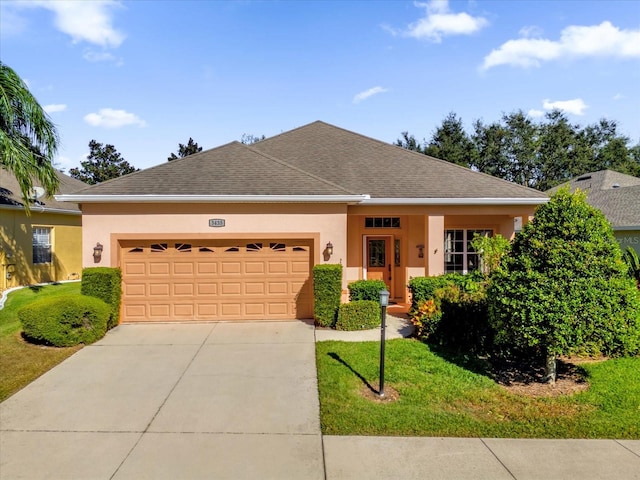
x,y
564,288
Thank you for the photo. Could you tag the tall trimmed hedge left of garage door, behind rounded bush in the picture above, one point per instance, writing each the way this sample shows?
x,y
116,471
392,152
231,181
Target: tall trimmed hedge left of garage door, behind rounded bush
x,y
104,283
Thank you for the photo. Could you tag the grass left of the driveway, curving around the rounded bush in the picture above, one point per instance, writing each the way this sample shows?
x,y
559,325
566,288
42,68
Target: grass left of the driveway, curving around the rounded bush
x,y
20,361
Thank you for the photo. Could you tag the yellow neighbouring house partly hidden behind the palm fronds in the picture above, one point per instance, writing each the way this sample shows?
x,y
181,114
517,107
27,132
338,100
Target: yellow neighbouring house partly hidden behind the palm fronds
x,y
45,246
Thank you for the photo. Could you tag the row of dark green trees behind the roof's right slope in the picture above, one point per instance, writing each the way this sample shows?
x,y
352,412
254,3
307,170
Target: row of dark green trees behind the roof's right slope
x,y
540,154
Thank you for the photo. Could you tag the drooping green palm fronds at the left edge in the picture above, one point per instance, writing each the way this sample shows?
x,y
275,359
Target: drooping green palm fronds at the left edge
x,y
28,138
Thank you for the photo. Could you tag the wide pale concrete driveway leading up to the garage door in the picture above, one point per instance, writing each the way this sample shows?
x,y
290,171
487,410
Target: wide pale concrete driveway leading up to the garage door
x,y
214,400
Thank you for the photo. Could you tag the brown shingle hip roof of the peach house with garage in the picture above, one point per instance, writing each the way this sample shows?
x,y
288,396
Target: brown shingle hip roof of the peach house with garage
x,y
316,159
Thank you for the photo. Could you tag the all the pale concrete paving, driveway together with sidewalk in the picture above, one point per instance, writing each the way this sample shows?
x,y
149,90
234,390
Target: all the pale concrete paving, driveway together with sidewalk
x,y
239,401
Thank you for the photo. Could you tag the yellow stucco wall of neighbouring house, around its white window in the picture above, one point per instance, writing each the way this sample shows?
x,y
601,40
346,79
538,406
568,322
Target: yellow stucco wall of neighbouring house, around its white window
x,y
16,247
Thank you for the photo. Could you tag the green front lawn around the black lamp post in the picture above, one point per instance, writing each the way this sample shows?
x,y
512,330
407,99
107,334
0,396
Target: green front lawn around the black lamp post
x,y
440,398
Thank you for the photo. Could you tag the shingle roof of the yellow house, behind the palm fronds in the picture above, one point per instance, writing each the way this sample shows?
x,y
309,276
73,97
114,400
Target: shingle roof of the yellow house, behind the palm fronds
x,y
10,195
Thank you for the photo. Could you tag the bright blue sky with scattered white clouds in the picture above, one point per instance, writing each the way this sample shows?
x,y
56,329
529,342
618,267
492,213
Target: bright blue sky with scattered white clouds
x,y
145,76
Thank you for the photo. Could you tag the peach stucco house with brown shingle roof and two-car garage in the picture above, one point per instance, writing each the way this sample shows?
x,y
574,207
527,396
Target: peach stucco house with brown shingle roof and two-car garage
x,y
233,232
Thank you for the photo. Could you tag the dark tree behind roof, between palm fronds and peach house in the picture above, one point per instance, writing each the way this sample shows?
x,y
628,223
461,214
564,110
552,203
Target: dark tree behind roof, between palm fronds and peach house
x,y
103,163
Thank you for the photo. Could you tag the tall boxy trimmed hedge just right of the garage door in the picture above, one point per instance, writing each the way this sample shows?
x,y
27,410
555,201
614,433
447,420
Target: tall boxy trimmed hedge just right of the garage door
x,y
327,293
